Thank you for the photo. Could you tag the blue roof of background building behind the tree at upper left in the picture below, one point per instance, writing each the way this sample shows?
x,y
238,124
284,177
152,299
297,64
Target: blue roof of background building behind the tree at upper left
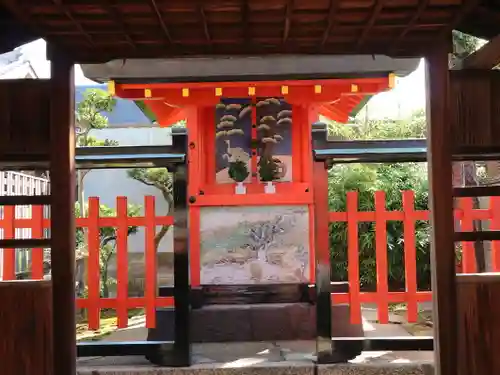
x,y
126,111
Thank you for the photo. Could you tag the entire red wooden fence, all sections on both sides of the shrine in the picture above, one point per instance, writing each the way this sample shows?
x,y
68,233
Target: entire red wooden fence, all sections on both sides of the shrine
x,y
382,297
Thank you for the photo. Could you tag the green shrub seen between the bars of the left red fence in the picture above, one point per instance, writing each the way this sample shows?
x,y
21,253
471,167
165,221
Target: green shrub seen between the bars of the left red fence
x,y
107,243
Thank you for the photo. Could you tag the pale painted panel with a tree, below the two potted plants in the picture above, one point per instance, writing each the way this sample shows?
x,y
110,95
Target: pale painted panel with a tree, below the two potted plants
x,y
254,244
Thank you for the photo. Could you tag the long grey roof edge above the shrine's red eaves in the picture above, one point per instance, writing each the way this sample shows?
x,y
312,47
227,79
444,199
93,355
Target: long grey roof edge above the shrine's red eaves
x,y
248,68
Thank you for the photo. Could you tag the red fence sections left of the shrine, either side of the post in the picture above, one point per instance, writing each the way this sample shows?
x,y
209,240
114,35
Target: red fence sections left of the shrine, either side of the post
x,y
93,222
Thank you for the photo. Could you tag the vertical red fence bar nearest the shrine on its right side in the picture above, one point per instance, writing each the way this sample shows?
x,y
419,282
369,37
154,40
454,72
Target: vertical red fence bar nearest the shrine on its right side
x,y
353,256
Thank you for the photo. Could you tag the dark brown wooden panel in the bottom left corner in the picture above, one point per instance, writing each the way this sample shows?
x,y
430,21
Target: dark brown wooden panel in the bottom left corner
x,y
25,326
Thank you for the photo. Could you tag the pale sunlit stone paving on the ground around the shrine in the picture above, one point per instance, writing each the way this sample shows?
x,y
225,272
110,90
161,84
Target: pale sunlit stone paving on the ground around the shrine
x,y
238,355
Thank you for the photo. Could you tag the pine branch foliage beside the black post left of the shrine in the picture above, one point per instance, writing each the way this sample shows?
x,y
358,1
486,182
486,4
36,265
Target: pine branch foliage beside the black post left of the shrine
x,y
161,179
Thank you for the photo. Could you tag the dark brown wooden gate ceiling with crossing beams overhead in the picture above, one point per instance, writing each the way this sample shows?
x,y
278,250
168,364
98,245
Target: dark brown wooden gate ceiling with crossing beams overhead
x,y
101,30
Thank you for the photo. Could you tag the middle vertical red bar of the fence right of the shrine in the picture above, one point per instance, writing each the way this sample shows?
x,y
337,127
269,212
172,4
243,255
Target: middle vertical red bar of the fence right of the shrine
x,y
381,258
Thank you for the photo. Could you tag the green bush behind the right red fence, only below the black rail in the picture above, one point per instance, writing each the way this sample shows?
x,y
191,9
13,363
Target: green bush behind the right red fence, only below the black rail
x,y
366,179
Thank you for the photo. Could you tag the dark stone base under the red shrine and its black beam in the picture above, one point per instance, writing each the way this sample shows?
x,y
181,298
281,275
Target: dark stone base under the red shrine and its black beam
x,y
259,323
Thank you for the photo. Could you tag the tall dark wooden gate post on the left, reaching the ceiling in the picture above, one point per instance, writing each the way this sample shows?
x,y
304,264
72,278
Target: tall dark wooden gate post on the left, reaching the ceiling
x,y
62,179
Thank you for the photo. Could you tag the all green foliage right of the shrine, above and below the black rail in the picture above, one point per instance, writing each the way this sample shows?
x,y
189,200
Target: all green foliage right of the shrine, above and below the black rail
x,y
390,178
